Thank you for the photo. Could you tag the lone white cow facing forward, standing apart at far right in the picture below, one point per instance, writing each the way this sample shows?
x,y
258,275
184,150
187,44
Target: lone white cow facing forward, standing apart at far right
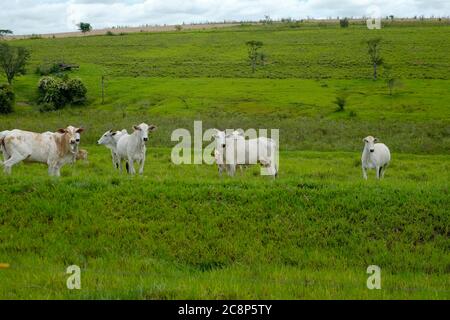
x,y
375,155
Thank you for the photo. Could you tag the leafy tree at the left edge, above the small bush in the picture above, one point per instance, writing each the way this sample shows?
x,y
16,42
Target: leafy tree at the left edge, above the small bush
x,y
13,60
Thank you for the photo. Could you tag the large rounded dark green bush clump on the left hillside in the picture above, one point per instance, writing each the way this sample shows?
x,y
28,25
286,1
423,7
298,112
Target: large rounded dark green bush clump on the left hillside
x,y
55,92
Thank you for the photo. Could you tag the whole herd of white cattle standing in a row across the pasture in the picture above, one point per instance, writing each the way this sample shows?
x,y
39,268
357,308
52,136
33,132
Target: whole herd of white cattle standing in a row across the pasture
x,y
232,150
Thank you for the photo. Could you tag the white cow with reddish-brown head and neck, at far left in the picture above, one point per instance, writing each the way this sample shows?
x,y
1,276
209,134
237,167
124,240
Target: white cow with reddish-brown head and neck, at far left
x,y
55,149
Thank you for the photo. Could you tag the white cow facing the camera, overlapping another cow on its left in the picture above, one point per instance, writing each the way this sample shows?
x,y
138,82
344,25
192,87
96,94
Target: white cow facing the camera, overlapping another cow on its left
x,y
131,147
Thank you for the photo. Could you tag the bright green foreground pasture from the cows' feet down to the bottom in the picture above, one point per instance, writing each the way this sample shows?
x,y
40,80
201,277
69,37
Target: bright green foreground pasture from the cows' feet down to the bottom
x,y
181,232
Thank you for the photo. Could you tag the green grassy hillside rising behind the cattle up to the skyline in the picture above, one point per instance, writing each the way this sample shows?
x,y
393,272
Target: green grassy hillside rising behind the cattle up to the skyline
x,y
205,75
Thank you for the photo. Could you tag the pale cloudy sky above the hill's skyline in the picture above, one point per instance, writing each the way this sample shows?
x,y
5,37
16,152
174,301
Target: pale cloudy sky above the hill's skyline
x,y
51,16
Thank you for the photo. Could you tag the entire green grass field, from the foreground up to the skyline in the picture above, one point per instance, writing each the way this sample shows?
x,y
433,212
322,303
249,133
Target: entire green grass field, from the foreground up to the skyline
x,y
181,232
